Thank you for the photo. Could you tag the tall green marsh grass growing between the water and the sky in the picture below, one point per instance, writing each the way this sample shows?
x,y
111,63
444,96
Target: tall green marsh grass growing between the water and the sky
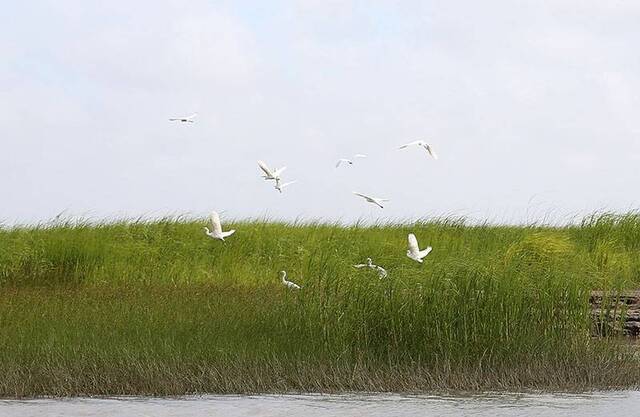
x,y
158,308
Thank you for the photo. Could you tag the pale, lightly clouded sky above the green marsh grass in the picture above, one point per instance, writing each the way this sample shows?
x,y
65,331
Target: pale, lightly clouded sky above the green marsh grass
x,y
533,108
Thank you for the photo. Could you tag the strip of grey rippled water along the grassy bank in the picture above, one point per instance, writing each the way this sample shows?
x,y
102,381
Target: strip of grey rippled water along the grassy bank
x,y
619,404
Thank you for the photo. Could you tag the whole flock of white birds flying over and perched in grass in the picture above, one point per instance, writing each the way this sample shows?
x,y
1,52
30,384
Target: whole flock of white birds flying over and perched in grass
x,y
214,229
